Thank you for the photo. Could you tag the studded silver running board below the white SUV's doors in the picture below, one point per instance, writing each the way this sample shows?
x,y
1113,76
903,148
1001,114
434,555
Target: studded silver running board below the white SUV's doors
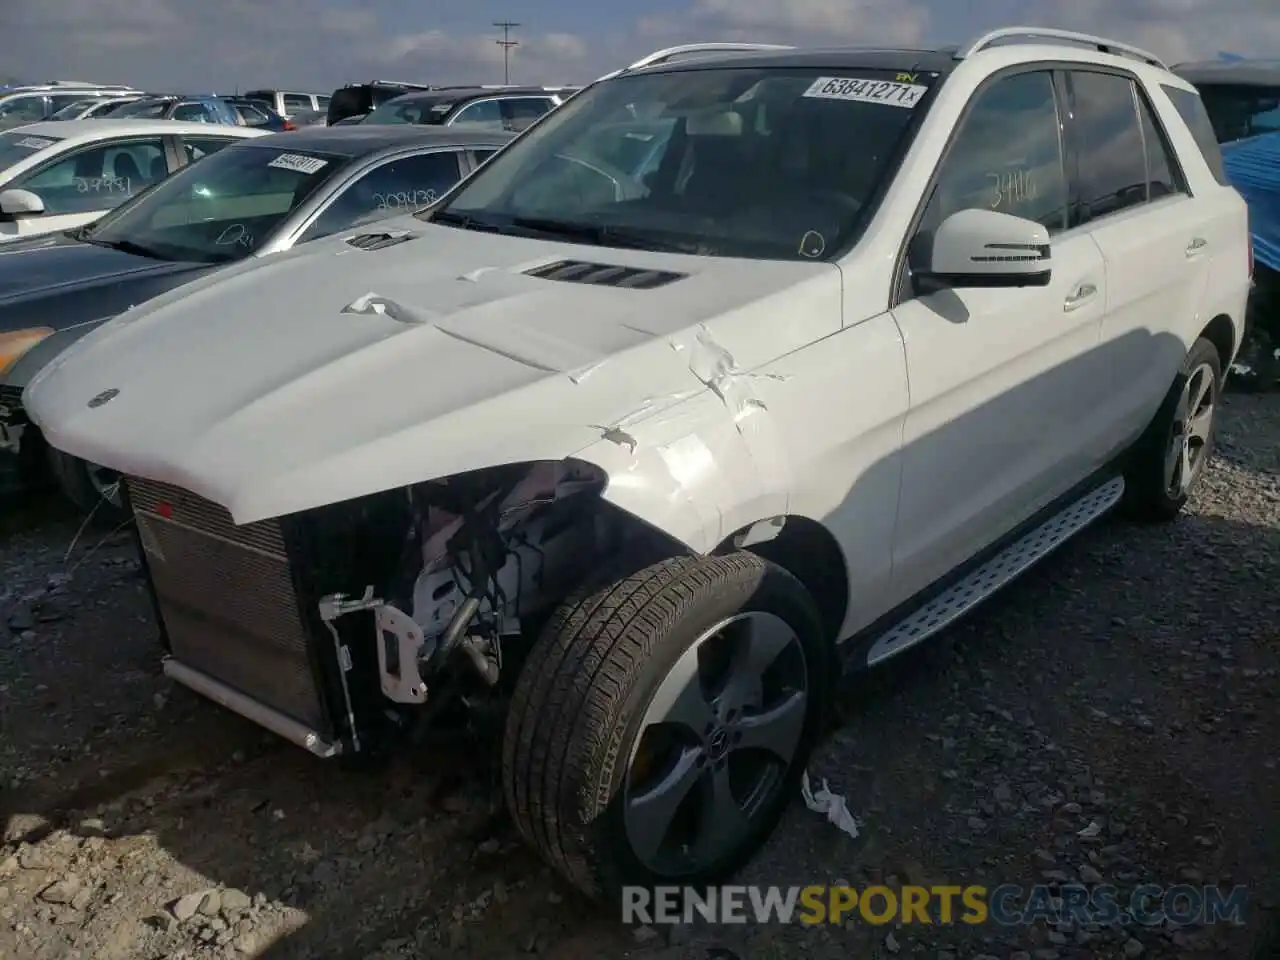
x,y
999,572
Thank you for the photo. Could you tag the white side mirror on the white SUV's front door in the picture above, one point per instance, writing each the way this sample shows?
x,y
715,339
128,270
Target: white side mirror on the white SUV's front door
x,y
986,249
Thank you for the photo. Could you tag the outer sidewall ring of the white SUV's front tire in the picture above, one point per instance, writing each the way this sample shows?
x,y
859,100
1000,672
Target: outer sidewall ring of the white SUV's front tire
x,y
774,592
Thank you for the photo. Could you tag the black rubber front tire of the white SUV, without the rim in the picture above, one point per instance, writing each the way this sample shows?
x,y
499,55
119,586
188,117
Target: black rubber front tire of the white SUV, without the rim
x,y
580,707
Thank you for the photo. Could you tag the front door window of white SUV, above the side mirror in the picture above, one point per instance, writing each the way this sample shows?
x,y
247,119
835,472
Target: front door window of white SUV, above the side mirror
x,y
1008,157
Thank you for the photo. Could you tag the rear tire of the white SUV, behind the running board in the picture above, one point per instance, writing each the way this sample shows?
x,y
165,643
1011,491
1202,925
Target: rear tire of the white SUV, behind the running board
x,y
1151,493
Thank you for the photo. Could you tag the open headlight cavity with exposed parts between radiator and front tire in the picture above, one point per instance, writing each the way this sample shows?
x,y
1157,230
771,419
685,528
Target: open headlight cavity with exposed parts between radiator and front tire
x,y
465,570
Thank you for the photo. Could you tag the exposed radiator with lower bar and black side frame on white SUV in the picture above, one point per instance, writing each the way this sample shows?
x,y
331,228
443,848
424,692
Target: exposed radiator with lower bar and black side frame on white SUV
x,y
239,609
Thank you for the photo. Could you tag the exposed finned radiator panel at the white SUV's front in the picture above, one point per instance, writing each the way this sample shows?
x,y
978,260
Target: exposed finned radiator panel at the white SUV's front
x,y
227,598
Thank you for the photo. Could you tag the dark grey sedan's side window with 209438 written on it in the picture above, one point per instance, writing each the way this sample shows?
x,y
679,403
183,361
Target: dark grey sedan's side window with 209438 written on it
x,y
396,188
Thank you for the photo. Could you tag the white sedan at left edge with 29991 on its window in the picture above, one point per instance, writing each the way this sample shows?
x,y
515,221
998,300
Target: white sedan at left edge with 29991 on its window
x,y
57,176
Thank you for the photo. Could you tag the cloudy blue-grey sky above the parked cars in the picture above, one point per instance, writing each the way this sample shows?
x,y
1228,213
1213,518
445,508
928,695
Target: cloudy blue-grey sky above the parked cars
x,y
202,45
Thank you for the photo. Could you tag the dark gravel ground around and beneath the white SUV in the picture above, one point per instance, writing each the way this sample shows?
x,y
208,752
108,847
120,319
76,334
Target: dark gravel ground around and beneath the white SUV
x,y
1130,683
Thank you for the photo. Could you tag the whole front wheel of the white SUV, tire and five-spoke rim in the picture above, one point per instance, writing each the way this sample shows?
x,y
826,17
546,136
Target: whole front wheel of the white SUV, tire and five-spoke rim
x,y
662,724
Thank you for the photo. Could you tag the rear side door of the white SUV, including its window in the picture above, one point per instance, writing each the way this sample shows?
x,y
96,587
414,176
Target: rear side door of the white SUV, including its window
x,y
1135,203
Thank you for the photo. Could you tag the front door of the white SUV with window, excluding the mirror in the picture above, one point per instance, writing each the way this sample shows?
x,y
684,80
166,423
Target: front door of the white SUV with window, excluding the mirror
x,y
1002,419
